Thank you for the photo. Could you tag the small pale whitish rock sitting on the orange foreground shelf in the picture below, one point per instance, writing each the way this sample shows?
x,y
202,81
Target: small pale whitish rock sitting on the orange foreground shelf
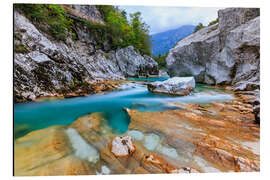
x,y
122,146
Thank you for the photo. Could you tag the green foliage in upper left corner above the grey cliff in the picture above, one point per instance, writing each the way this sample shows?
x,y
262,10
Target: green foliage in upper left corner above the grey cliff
x,y
53,15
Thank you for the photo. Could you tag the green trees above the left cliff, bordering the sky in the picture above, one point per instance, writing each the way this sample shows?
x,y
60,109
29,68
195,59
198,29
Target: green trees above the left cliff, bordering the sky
x,y
121,33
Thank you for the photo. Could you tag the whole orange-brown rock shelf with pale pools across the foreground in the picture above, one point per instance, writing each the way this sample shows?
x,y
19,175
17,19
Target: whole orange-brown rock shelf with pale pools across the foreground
x,y
216,137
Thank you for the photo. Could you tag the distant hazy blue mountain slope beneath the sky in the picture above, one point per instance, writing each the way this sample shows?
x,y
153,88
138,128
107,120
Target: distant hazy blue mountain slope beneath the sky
x,y
164,41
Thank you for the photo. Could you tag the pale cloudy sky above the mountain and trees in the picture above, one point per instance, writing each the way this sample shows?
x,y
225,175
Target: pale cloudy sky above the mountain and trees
x,y
161,19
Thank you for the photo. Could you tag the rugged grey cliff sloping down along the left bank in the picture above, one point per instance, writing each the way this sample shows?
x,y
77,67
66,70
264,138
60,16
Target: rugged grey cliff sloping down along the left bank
x,y
46,67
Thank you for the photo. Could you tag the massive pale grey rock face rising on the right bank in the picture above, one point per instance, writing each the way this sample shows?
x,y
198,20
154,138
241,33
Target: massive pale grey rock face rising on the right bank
x,y
224,53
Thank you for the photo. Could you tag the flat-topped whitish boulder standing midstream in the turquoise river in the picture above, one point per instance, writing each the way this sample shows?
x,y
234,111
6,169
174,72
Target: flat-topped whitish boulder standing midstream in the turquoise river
x,y
179,86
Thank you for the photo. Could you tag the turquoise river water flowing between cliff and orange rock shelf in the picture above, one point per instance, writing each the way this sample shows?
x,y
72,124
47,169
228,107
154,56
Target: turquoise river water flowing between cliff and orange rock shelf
x,y
30,116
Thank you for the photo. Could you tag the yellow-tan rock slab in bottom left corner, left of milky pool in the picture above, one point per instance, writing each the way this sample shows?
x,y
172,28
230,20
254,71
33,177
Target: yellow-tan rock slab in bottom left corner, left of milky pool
x,y
47,152
